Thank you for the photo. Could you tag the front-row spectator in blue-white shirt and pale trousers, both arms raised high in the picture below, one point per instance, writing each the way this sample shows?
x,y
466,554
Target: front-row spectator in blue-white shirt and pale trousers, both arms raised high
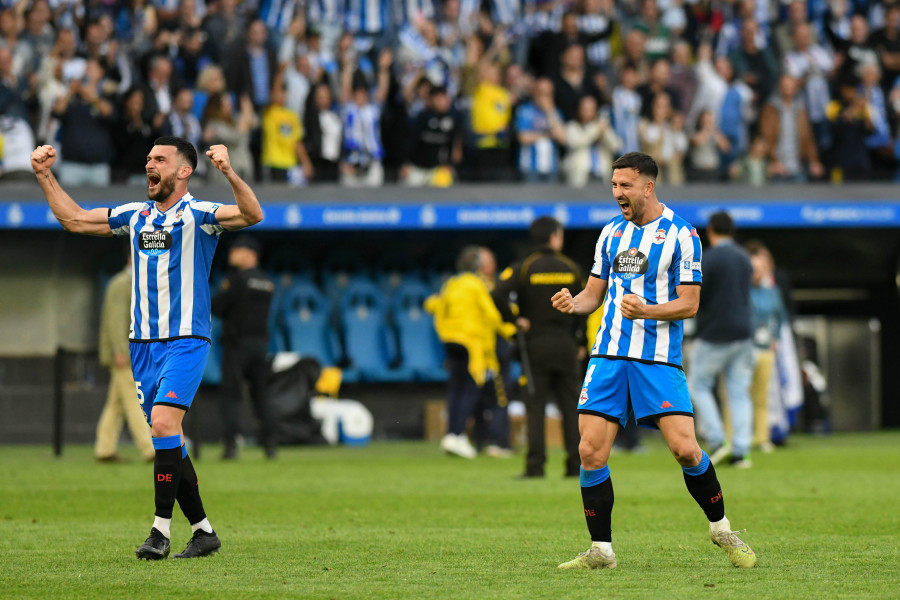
x,y
361,160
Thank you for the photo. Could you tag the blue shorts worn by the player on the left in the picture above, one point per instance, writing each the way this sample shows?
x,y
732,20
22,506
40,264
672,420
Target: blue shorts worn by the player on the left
x,y
168,373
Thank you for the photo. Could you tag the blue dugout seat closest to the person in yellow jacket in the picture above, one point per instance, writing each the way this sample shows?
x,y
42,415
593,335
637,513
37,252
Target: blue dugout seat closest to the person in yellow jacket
x,y
420,349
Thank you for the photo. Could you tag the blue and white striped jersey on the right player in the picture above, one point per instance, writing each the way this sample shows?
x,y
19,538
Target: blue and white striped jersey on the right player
x,y
650,262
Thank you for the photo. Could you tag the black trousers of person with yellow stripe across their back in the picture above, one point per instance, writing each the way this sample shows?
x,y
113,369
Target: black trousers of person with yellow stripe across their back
x,y
554,370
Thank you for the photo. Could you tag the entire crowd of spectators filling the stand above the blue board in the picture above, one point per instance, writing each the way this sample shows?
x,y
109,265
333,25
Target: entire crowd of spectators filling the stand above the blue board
x,y
428,92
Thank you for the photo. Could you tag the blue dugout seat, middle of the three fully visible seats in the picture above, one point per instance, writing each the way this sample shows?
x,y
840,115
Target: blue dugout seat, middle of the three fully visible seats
x,y
369,345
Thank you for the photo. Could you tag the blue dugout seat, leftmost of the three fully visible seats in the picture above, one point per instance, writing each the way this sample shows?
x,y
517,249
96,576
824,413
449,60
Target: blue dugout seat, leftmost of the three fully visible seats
x,y
305,315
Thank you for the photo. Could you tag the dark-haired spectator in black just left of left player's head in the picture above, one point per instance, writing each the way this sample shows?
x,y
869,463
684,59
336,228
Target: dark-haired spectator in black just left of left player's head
x,y
133,138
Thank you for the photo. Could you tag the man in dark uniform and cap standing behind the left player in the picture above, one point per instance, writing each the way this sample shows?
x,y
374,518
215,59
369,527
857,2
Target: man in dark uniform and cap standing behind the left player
x,y
243,302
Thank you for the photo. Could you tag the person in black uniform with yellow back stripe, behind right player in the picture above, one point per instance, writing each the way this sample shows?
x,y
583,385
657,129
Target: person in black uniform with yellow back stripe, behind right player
x,y
552,340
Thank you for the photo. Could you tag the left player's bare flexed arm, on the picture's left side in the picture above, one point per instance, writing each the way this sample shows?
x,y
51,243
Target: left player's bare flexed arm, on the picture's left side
x,y
71,216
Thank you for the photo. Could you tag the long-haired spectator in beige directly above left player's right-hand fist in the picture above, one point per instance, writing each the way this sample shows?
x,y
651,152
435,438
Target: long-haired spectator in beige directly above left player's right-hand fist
x,y
220,126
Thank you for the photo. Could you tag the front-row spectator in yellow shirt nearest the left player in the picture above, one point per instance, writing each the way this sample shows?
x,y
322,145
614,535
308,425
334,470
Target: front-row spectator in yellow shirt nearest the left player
x,y
284,157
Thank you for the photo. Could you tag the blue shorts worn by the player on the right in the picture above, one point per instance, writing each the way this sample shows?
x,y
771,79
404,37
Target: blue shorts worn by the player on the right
x,y
616,389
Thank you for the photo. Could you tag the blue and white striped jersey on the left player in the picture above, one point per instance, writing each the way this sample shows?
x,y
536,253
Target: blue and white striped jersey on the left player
x,y
171,254
